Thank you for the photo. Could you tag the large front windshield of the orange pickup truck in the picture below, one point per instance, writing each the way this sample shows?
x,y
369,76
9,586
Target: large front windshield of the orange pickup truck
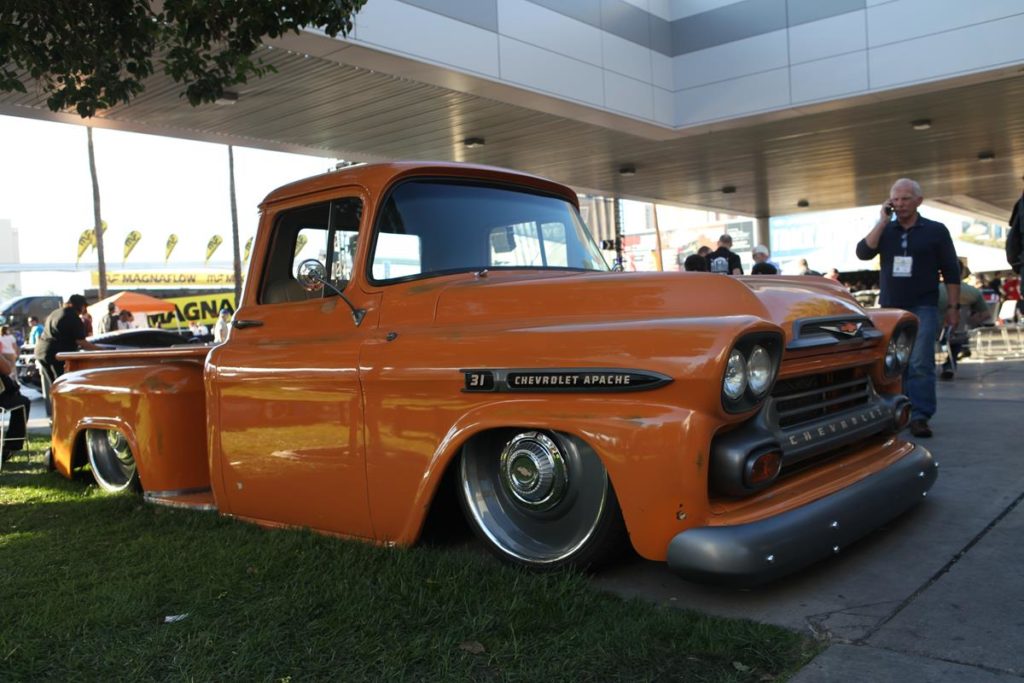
x,y
431,228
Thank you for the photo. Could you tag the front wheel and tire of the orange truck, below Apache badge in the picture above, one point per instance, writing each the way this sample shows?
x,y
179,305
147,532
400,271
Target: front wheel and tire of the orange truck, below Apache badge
x,y
540,500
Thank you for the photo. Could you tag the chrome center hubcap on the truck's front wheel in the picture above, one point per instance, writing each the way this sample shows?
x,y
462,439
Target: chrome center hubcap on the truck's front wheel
x,y
533,472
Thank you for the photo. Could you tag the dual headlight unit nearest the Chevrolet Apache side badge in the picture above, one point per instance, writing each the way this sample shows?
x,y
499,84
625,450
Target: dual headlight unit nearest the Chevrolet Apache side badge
x,y
765,349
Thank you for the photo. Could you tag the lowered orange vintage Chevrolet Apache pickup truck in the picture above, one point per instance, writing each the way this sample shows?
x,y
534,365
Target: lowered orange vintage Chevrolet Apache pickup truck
x,y
409,324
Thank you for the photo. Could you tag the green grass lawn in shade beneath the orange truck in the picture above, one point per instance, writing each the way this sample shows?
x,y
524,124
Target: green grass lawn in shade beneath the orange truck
x,y
98,587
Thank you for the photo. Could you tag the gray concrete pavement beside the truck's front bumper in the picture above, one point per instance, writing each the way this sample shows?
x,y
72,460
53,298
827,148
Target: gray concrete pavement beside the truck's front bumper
x,y
937,595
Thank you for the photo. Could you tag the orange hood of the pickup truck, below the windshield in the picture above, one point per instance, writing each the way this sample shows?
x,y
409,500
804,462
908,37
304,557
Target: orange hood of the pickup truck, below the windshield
x,y
618,296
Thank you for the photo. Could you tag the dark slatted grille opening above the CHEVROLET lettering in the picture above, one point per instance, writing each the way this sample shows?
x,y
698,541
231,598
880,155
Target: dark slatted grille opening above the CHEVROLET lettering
x,y
812,398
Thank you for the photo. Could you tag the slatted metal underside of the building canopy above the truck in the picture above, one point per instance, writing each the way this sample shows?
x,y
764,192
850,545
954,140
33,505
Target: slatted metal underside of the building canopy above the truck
x,y
834,159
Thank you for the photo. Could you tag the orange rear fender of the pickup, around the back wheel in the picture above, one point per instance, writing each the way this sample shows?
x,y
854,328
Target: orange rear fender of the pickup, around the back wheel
x,y
160,409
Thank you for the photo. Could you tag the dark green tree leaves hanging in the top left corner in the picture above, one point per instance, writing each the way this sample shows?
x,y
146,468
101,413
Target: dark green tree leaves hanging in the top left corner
x,y
90,56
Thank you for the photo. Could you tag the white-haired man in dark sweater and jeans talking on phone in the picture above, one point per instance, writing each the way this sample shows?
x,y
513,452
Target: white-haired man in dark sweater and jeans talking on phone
x,y
914,250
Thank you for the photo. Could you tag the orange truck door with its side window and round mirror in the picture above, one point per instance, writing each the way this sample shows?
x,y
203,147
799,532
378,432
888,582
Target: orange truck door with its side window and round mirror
x,y
286,415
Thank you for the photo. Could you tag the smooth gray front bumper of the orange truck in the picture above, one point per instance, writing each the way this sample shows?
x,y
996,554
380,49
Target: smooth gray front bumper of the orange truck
x,y
771,548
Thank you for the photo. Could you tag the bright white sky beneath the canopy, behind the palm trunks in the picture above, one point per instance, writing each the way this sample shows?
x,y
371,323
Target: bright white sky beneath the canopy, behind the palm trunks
x,y
153,185
